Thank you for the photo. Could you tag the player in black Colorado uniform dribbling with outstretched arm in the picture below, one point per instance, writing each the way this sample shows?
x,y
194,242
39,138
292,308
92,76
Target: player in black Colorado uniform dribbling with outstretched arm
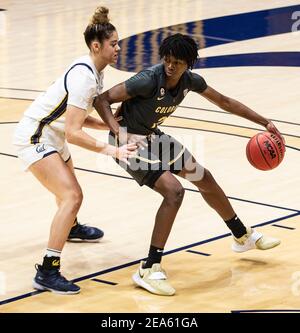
x,y
148,98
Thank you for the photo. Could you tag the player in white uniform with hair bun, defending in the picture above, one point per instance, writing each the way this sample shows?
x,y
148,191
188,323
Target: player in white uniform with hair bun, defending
x,y
58,115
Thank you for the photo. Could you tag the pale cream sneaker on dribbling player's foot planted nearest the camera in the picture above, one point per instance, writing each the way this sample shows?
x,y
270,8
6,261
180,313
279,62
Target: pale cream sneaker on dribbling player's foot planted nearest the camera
x,y
153,279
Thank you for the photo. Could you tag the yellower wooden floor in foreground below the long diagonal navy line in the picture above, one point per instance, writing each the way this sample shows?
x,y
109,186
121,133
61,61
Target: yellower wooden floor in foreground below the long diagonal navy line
x,y
206,279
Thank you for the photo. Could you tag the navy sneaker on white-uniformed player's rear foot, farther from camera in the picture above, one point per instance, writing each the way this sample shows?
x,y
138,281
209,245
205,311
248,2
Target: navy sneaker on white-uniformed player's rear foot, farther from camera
x,y
83,233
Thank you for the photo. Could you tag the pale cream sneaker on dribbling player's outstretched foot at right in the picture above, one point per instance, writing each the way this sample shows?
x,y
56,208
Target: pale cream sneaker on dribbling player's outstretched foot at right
x,y
254,240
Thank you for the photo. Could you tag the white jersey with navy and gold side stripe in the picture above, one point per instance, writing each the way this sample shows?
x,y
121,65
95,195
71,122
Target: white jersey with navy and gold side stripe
x,y
44,120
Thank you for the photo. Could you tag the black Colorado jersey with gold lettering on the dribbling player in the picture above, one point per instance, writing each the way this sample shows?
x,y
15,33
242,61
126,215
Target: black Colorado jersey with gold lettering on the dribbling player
x,y
151,102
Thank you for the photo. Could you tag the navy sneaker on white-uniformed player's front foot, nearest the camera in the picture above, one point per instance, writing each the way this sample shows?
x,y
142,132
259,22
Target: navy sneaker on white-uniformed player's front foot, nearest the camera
x,y
52,280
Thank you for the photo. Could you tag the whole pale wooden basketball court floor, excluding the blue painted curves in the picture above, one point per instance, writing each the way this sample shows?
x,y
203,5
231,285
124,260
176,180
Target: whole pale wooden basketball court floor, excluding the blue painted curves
x,y
207,275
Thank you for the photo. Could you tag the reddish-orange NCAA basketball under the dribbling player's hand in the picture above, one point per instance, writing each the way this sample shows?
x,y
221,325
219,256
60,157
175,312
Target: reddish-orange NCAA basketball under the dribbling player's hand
x,y
265,151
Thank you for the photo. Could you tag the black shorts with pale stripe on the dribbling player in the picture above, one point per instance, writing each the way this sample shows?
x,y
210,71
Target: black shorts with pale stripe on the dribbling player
x,y
163,153
